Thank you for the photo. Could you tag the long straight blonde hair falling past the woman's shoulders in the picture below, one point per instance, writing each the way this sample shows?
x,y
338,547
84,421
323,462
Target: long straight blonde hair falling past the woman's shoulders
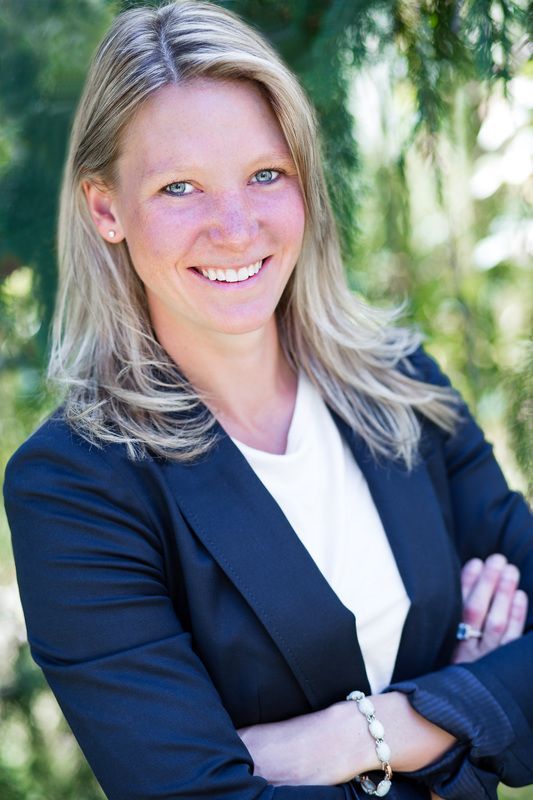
x,y
120,385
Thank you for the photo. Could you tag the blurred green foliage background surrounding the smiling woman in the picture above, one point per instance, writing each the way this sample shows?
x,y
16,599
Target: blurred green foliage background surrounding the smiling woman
x,y
426,112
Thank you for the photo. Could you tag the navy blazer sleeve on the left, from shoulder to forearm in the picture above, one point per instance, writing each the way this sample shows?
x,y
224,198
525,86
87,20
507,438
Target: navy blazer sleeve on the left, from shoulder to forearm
x,y
102,627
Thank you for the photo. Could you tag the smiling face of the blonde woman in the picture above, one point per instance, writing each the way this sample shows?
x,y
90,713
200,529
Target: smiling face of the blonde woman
x,y
207,192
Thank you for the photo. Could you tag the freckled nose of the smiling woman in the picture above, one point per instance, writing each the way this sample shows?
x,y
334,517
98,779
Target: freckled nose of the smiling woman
x,y
233,222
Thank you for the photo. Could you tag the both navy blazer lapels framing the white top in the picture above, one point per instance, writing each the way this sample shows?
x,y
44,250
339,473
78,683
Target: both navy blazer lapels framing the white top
x,y
246,532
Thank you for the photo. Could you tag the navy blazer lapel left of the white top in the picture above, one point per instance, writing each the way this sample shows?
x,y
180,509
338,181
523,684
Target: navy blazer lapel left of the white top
x,y
246,532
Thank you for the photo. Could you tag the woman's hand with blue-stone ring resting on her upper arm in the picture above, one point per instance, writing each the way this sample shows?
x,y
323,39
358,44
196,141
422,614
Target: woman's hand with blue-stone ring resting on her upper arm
x,y
492,604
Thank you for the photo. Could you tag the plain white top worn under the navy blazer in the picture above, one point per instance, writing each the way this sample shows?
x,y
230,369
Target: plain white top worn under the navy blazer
x,y
324,496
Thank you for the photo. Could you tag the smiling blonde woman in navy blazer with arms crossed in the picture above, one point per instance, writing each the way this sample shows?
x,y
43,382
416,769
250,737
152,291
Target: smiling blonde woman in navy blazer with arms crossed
x,y
245,457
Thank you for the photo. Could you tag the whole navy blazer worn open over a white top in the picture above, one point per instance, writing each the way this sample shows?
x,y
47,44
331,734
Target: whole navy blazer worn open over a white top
x,y
169,604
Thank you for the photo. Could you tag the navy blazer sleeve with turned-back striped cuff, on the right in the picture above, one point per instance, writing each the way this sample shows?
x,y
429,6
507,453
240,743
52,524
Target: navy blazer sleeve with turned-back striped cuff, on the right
x,y
487,704
